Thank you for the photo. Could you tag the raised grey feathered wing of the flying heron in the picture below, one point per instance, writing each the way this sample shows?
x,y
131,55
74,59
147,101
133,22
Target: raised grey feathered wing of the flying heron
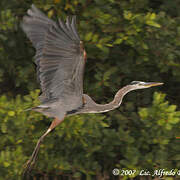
x,y
59,56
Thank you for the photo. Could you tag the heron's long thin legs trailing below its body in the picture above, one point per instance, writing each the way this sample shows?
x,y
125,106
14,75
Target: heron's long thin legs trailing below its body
x,y
31,161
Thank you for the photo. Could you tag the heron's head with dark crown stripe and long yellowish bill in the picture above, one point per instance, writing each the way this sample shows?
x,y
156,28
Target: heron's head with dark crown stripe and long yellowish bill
x,y
143,85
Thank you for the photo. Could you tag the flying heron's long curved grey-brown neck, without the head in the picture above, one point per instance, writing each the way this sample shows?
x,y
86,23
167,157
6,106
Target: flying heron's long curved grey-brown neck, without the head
x,y
93,107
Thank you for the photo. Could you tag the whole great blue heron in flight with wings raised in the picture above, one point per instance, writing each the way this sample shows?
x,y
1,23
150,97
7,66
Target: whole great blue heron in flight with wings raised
x,y
60,59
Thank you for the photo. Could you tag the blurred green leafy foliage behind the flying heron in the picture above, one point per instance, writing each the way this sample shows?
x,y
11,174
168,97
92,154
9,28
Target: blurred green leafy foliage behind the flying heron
x,y
125,40
